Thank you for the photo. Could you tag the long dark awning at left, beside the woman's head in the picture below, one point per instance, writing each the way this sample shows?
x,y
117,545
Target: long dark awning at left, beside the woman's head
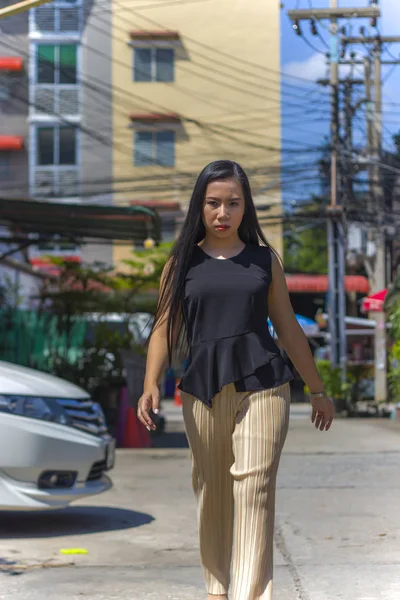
x,y
79,221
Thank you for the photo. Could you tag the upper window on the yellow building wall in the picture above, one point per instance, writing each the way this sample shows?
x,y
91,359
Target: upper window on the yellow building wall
x,y
154,64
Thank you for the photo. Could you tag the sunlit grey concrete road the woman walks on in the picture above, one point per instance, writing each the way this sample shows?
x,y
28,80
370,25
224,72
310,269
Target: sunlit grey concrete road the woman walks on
x,y
337,534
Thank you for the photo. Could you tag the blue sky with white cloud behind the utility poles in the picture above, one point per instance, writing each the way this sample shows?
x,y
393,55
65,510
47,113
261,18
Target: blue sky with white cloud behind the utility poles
x,y
300,62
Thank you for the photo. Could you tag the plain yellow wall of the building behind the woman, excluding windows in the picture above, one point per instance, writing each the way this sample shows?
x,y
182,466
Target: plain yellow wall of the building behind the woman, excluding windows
x,y
226,89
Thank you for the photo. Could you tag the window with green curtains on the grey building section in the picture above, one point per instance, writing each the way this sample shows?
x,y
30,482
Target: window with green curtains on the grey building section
x,y
56,64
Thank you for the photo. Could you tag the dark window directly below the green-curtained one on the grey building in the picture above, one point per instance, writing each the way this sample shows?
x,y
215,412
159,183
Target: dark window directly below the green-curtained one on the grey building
x,y
56,146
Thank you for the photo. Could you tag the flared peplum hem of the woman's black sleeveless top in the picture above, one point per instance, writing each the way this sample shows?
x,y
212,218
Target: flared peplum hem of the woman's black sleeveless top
x,y
214,364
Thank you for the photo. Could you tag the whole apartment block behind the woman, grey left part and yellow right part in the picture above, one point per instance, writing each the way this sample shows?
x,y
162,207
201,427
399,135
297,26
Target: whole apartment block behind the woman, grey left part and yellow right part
x,y
106,103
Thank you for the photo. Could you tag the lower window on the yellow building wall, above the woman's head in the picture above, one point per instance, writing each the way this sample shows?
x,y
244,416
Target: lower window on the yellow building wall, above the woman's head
x,y
154,148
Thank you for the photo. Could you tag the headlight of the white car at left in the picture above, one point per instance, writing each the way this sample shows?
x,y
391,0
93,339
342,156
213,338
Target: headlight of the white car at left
x,y
34,407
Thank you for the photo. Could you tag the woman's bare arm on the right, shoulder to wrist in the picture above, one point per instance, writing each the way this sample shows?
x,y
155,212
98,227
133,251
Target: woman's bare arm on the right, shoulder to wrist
x,y
289,331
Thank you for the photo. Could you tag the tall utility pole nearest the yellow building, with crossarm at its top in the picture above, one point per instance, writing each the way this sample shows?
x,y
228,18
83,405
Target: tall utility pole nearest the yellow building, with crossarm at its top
x,y
335,215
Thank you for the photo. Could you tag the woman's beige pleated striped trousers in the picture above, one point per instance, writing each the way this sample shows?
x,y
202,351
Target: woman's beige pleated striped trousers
x,y
236,447
